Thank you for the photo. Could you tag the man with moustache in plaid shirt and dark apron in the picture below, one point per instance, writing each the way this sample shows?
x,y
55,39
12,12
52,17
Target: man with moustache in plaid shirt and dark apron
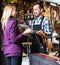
x,y
41,24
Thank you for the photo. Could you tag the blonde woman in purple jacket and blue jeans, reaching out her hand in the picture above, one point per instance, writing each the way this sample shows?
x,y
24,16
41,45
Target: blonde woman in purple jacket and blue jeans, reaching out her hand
x,y
11,36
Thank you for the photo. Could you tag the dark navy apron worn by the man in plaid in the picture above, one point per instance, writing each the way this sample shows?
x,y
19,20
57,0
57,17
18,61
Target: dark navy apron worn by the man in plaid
x,y
35,47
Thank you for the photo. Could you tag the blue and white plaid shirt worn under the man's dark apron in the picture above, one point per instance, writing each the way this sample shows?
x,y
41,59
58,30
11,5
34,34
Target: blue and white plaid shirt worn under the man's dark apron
x,y
46,25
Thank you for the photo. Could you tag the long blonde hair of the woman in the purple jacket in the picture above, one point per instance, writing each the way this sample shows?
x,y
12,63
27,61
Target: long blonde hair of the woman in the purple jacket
x,y
6,14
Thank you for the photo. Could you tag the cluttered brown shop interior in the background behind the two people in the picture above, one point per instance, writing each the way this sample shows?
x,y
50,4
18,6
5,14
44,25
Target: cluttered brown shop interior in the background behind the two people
x,y
24,14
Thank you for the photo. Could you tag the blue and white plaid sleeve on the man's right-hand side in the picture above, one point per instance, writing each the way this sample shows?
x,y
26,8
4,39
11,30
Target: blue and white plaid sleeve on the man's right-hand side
x,y
47,27
